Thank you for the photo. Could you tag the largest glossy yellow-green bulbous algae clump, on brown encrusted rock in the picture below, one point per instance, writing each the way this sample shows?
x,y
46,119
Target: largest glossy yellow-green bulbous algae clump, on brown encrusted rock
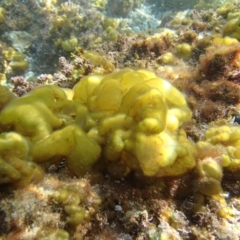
x,y
128,118
